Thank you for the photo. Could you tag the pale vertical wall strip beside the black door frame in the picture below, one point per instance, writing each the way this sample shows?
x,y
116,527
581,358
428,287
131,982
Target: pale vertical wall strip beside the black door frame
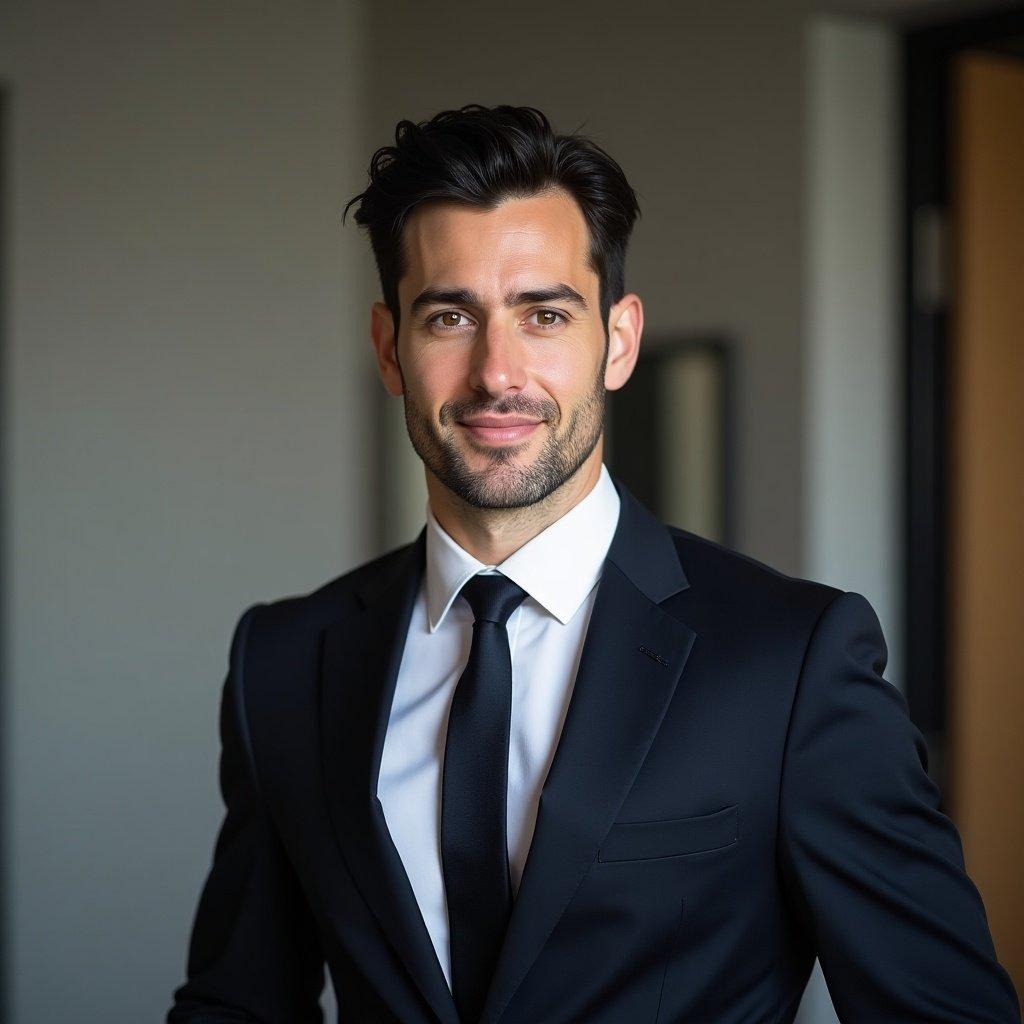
x,y
852,398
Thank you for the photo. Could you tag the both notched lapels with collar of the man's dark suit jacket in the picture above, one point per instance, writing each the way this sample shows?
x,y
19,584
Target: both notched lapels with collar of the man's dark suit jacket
x,y
633,657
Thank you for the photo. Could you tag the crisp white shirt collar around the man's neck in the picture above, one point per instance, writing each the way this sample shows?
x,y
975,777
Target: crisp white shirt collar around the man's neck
x,y
558,569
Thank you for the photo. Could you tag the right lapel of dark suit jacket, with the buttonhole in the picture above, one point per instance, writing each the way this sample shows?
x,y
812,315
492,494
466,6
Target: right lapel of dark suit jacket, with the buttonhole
x,y
632,659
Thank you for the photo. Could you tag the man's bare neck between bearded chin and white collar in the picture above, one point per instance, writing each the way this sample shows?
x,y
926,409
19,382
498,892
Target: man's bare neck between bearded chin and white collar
x,y
492,535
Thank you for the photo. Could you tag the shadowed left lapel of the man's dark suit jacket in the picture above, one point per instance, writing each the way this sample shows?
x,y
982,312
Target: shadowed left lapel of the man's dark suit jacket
x,y
362,658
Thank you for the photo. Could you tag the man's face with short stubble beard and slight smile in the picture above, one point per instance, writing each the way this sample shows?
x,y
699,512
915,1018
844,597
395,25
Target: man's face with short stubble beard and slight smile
x,y
501,351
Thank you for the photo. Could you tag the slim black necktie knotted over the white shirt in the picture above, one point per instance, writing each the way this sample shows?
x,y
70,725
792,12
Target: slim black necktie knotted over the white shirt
x,y
475,847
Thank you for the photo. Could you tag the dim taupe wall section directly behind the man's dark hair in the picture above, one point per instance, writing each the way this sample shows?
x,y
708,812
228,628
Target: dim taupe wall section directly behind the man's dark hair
x,y
702,105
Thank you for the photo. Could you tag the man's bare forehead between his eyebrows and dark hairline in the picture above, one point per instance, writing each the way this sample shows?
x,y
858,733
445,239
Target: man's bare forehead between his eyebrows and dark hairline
x,y
521,241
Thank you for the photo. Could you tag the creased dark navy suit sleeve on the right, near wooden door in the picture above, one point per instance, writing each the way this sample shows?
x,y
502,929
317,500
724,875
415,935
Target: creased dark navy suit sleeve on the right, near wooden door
x,y
875,872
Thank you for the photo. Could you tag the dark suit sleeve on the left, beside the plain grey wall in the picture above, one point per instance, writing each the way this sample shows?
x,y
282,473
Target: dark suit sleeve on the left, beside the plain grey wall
x,y
254,954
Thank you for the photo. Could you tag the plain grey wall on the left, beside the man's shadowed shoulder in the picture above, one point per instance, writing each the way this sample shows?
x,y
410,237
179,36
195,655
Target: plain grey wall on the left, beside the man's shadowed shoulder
x,y
186,387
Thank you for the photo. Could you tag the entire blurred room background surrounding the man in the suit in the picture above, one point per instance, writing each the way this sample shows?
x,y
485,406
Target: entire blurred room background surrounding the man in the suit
x,y
832,261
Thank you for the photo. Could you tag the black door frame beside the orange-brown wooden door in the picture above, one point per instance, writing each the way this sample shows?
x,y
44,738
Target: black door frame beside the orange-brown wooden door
x,y
928,59
